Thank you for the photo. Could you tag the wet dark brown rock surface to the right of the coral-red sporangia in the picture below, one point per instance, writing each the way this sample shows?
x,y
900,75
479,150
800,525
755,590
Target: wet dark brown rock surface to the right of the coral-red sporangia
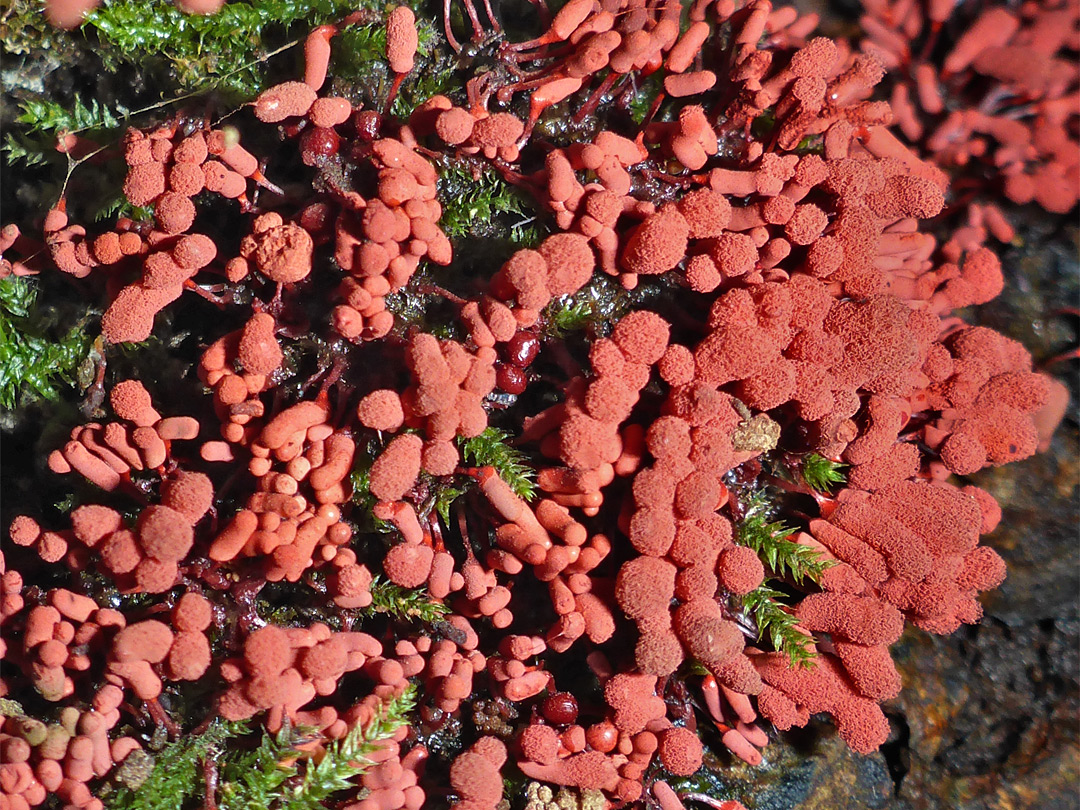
x,y
989,717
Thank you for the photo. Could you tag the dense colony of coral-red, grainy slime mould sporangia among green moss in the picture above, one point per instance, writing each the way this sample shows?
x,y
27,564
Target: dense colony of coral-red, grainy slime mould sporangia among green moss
x,y
829,315
